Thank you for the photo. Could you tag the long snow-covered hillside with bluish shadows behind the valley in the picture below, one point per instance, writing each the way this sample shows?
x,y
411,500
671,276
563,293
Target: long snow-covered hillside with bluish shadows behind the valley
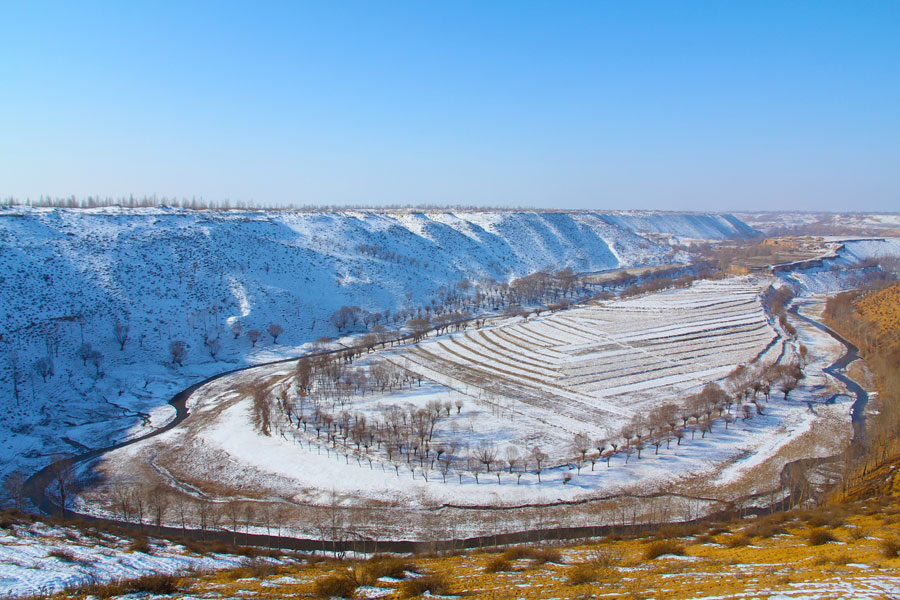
x,y
67,276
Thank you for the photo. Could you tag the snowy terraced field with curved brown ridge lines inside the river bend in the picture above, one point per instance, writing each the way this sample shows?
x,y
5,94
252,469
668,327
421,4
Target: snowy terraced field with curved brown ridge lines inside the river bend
x,y
599,365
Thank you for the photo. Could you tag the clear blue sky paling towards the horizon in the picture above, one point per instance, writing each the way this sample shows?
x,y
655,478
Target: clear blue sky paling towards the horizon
x,y
719,105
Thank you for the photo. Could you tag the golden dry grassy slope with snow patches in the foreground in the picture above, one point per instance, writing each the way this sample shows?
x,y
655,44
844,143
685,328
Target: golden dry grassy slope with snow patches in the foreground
x,y
774,555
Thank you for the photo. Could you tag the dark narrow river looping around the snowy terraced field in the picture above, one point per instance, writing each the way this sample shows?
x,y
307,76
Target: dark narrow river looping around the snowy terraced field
x,y
37,485
